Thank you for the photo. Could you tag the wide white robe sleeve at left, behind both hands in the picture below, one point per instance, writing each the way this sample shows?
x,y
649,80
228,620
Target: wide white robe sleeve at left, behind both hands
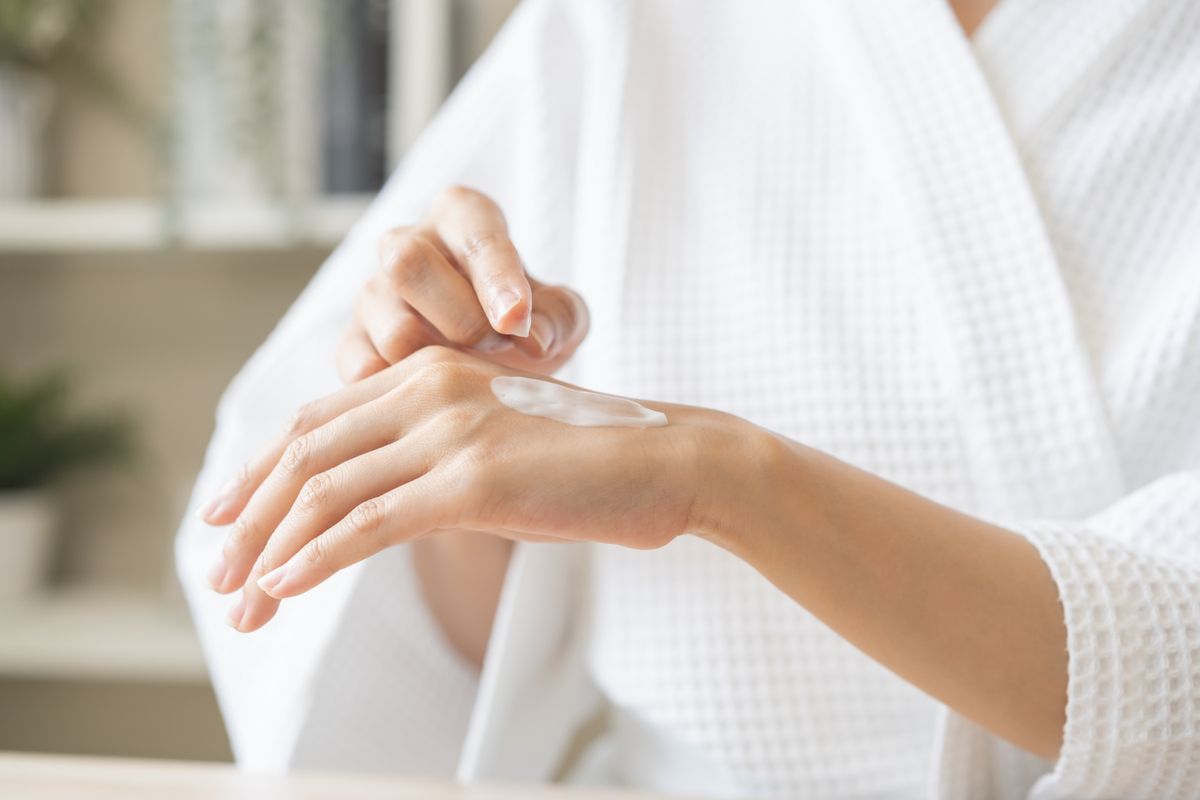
x,y
356,675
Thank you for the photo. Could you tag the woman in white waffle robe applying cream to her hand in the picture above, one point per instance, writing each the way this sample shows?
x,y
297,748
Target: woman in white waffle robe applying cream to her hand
x,y
891,256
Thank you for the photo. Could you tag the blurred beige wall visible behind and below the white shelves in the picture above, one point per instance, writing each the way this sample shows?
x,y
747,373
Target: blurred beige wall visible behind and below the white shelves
x,y
159,334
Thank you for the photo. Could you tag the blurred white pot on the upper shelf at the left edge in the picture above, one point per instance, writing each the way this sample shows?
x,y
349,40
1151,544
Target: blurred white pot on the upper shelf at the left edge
x,y
26,103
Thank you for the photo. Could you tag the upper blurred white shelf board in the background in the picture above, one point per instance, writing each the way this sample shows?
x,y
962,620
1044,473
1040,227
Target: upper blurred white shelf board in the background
x,y
123,226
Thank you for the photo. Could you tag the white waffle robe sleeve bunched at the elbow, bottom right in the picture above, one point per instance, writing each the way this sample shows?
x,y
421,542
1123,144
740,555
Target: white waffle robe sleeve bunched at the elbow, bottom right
x,y
1129,581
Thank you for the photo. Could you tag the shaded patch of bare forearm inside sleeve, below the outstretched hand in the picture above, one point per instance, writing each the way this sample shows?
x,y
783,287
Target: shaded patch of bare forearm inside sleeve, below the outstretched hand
x,y
461,574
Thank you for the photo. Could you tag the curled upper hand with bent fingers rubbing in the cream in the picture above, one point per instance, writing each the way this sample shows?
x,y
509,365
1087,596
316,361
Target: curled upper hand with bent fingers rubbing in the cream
x,y
458,280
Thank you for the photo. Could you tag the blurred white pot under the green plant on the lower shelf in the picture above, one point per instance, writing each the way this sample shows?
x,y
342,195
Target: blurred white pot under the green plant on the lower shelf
x,y
28,524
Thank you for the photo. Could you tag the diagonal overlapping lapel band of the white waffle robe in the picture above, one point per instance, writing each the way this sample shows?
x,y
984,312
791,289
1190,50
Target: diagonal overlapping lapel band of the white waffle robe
x,y
1018,377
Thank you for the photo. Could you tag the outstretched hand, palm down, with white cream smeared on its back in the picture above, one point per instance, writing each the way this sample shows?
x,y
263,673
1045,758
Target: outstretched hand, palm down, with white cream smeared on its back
x,y
425,446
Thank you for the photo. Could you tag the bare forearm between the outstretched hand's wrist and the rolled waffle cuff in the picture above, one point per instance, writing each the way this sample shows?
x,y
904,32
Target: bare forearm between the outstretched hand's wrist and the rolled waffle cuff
x,y
964,610
